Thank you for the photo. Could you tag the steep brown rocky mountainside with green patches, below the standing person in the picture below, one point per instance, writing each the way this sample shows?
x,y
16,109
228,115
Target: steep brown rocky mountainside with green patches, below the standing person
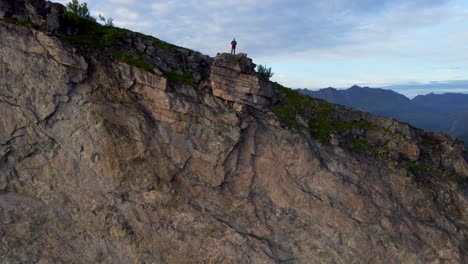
x,y
116,147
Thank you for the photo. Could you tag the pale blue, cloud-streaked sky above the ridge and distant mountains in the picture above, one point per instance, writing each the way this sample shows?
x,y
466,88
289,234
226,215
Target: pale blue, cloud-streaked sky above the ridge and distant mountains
x,y
411,46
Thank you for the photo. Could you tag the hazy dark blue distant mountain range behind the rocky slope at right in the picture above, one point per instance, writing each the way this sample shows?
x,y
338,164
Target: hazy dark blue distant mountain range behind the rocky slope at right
x,y
447,112
